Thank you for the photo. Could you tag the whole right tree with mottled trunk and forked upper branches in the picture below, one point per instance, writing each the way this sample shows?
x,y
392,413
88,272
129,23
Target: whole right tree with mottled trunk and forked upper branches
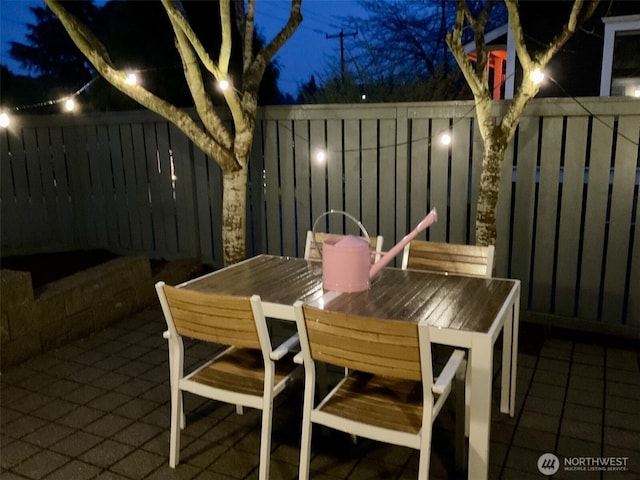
x,y
497,132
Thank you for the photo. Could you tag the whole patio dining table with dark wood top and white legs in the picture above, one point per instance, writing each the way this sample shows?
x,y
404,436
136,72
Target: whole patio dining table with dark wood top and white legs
x,y
463,312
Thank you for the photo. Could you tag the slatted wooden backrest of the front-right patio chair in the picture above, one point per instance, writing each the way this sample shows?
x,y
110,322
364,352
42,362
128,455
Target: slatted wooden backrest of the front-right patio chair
x,y
382,347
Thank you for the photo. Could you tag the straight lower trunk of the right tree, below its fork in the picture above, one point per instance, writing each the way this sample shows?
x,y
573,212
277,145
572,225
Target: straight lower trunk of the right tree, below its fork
x,y
492,158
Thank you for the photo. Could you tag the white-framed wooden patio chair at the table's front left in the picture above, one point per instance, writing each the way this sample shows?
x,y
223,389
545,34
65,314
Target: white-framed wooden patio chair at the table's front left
x,y
246,373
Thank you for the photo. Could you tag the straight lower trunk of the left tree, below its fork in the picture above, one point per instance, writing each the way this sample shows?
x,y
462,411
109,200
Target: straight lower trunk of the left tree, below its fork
x,y
234,213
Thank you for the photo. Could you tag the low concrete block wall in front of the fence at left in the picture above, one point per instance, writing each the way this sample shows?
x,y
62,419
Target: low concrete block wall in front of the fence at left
x,y
77,305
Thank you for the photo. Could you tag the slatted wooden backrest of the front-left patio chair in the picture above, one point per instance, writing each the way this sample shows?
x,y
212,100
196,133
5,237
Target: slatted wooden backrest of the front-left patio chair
x,y
213,318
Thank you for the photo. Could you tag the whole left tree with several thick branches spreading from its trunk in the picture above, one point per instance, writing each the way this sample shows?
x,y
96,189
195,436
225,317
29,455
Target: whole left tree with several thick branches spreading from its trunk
x,y
229,148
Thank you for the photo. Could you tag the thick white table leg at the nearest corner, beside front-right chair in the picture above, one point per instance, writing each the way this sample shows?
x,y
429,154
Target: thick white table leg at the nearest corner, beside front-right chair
x,y
480,408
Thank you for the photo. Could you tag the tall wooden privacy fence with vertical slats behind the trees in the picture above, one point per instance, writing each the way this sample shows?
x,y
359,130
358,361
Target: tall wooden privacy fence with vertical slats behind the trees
x,y
132,183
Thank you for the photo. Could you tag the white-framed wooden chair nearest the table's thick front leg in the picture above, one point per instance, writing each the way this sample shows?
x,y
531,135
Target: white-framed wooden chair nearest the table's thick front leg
x,y
388,393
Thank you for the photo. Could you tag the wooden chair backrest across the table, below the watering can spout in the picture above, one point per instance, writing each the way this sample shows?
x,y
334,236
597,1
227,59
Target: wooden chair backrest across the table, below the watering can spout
x,y
449,257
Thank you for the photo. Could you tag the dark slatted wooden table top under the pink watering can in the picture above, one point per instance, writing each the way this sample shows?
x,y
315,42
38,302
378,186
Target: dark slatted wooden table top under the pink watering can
x,y
447,301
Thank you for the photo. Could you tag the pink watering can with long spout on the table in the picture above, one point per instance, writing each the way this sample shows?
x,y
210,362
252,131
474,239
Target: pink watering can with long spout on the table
x,y
346,261
